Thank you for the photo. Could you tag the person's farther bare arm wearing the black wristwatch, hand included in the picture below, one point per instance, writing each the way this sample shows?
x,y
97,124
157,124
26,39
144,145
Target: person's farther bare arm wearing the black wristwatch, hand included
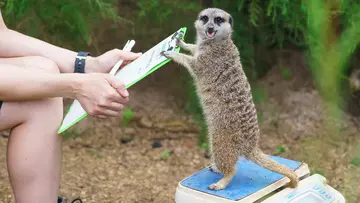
x,y
15,44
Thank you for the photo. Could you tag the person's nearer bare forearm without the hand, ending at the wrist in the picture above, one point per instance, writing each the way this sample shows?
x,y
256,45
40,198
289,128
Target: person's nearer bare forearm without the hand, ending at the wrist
x,y
16,85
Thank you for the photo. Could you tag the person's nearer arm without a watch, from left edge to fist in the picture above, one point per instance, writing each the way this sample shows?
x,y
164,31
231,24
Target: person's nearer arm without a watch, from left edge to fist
x,y
101,95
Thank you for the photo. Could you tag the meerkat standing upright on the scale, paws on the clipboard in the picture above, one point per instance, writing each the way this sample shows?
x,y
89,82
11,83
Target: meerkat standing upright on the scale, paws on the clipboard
x,y
225,97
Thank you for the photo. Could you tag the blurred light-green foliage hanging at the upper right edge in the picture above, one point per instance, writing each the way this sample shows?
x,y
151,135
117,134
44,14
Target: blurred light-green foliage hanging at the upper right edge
x,y
328,49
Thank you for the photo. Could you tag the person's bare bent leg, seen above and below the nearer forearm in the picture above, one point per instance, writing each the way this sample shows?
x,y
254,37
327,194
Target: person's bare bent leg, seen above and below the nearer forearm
x,y
34,148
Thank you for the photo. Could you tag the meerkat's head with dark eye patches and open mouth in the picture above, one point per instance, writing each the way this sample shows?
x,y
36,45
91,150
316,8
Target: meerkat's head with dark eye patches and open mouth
x,y
213,24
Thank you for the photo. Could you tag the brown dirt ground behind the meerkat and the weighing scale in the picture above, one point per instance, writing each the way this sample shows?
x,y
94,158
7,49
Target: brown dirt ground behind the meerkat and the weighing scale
x,y
99,167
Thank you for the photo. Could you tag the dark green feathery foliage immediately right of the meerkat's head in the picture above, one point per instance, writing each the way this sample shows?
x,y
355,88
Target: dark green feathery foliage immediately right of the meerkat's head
x,y
273,23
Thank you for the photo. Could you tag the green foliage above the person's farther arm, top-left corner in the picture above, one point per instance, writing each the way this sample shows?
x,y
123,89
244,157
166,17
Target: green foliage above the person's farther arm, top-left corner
x,y
59,22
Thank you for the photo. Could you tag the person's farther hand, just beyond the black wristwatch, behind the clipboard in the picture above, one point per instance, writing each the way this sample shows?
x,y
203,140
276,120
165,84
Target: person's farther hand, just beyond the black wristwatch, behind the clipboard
x,y
105,62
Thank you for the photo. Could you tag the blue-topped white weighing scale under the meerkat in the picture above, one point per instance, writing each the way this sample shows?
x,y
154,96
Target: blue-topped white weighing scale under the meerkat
x,y
253,183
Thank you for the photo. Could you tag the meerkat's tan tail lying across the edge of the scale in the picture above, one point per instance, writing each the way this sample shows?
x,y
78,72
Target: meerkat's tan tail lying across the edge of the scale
x,y
258,157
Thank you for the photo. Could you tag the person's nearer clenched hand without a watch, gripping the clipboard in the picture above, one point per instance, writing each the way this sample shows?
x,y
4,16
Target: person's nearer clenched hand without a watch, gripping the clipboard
x,y
101,95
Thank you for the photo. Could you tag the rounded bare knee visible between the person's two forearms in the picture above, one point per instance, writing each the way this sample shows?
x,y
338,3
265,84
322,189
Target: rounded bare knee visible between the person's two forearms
x,y
43,64
